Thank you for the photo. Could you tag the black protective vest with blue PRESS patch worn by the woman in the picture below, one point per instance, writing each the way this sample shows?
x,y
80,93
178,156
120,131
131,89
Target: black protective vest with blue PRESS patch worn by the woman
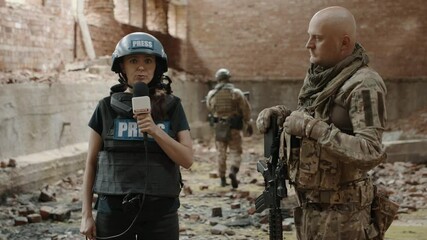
x,y
124,166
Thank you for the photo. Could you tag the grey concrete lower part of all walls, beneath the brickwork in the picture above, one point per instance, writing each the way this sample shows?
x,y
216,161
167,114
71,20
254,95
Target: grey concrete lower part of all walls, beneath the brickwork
x,y
43,116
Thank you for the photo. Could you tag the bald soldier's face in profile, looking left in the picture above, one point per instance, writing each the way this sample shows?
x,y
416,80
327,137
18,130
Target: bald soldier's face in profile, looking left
x,y
323,43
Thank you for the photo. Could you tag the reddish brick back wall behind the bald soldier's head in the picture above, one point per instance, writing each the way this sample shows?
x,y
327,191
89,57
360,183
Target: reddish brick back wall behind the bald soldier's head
x,y
265,39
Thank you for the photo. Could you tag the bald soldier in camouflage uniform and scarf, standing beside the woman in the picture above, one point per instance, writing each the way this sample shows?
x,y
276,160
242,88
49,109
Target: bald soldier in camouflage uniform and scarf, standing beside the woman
x,y
338,124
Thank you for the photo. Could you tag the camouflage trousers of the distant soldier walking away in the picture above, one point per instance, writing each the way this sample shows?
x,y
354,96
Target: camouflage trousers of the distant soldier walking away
x,y
234,145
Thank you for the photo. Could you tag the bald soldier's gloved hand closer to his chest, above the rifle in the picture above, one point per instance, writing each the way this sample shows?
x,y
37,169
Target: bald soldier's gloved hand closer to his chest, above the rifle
x,y
303,125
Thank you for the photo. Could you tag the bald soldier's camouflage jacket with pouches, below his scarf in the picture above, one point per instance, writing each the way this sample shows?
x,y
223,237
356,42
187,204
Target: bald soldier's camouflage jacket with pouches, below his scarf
x,y
350,143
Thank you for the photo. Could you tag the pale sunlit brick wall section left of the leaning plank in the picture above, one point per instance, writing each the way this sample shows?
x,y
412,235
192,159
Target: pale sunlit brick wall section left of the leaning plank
x,y
35,36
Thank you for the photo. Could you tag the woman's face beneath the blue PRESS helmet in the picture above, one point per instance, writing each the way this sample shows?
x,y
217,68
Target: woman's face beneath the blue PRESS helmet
x,y
139,68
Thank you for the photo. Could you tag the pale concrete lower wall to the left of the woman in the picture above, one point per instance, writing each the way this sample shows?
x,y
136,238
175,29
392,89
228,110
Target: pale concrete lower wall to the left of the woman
x,y
41,116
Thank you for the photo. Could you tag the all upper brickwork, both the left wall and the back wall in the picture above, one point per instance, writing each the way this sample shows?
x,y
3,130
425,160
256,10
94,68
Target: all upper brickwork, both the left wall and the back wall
x,y
257,40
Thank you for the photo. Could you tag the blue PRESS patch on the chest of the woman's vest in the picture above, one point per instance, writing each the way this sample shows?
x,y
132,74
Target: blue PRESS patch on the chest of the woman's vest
x,y
127,129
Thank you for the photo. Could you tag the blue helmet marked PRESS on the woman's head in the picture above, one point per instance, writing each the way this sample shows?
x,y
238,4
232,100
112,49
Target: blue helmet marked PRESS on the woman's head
x,y
140,42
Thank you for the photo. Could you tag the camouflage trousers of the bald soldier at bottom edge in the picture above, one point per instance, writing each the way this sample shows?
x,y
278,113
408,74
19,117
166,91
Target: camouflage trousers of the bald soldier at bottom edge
x,y
332,222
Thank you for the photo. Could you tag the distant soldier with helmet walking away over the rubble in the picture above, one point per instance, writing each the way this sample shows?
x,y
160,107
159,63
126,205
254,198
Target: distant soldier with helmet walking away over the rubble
x,y
231,112
